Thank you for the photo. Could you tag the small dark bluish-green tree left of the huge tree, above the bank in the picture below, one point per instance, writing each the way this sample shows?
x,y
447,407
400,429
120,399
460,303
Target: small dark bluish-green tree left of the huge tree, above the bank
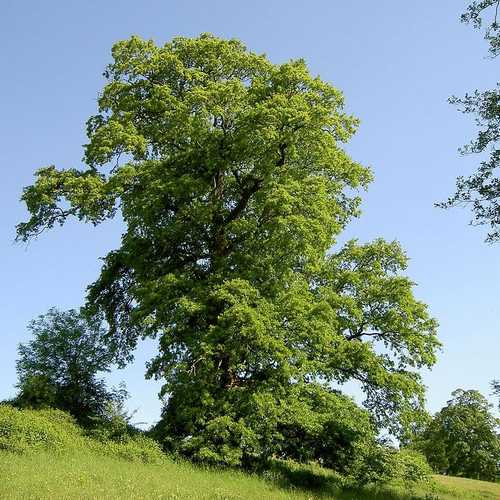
x,y
58,368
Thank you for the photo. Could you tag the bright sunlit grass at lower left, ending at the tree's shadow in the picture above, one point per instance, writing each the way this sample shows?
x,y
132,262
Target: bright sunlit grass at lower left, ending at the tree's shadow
x,y
87,476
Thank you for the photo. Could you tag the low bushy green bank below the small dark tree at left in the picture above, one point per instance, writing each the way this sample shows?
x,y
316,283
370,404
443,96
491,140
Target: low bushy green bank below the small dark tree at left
x,y
27,431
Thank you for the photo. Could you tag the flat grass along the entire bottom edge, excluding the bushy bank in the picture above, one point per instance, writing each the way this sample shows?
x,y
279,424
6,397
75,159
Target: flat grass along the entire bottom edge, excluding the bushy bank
x,y
86,476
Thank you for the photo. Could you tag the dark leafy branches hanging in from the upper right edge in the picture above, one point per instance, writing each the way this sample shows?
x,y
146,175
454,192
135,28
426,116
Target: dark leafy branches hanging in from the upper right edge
x,y
481,190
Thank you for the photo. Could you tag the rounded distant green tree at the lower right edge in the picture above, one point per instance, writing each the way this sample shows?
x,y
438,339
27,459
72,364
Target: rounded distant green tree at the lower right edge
x,y
462,439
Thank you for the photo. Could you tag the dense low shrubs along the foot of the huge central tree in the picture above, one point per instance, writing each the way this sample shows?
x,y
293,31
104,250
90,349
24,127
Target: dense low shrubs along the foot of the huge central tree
x,y
310,423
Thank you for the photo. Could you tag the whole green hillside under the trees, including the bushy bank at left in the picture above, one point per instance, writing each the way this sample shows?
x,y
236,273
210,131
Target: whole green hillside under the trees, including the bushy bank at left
x,y
45,455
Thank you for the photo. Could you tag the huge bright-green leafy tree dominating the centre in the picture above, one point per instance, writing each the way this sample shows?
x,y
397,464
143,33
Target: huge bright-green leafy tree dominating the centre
x,y
229,173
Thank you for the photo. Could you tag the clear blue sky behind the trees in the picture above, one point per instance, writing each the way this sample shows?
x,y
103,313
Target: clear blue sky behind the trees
x,y
396,62
